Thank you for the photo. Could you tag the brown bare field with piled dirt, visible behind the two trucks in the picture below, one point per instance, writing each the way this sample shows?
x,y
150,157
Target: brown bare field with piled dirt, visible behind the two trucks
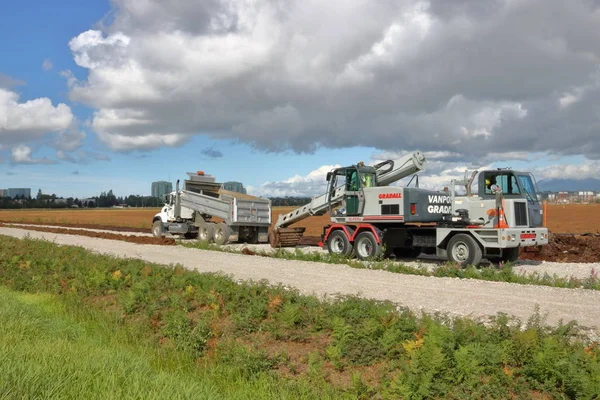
x,y
574,228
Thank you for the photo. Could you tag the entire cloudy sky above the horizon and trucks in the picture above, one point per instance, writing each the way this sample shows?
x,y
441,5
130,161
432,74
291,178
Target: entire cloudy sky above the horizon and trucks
x,y
113,95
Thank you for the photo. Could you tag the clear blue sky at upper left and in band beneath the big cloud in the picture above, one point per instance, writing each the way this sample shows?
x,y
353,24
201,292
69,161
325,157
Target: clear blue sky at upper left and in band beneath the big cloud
x,y
37,31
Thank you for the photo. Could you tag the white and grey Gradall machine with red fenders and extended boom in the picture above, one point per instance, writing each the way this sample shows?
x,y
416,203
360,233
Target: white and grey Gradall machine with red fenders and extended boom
x,y
369,218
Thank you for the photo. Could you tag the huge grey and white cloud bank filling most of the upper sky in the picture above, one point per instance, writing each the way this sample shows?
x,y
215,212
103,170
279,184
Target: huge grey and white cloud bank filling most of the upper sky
x,y
461,76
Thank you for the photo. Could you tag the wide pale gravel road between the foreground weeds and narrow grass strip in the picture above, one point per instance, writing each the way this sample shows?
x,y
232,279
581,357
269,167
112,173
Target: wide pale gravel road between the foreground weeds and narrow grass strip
x,y
464,297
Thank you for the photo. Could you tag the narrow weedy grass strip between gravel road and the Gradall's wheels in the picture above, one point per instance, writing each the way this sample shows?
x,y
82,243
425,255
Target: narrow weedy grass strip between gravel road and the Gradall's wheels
x,y
495,273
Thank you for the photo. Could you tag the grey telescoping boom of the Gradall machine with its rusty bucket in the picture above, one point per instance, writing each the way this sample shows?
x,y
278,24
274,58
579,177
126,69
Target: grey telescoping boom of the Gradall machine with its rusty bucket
x,y
388,172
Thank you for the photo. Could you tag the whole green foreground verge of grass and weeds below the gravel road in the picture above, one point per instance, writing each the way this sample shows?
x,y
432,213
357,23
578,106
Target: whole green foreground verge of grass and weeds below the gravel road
x,y
258,340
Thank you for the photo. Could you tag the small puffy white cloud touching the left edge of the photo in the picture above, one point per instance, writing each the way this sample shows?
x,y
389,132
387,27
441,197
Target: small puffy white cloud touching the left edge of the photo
x,y
30,120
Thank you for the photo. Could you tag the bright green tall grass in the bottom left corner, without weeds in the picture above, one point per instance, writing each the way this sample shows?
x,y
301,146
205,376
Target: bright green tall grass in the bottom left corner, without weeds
x,y
53,350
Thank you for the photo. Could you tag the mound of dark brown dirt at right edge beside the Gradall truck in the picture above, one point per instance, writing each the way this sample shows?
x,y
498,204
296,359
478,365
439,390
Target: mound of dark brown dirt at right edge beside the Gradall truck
x,y
568,248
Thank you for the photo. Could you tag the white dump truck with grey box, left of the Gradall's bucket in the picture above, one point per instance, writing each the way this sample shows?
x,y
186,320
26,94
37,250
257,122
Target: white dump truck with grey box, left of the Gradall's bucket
x,y
203,209
